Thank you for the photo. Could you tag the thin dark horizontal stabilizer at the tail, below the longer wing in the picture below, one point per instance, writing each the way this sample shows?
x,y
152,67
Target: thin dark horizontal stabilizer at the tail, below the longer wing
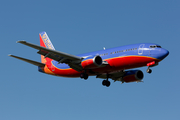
x,y
29,61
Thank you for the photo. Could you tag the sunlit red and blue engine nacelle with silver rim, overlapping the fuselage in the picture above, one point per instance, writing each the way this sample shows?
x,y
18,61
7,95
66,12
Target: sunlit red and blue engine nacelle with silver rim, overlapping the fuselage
x,y
92,62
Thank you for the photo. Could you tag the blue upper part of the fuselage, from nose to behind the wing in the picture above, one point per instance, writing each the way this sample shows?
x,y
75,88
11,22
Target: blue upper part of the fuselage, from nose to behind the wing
x,y
143,49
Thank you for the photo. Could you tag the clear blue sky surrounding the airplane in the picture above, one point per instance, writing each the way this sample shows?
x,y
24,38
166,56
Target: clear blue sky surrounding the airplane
x,y
80,26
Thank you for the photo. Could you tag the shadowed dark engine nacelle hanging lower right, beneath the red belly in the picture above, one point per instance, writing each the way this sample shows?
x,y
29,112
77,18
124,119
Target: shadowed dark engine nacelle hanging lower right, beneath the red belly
x,y
133,76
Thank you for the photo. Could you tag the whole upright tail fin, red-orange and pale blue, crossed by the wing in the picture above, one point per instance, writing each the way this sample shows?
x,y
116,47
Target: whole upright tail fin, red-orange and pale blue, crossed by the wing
x,y
45,42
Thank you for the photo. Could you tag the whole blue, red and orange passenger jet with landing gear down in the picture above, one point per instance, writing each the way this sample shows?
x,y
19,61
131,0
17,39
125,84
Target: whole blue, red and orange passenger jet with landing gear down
x,y
113,63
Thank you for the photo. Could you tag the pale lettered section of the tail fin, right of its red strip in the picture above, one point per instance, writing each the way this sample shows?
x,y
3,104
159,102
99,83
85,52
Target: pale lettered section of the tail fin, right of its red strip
x,y
47,41
